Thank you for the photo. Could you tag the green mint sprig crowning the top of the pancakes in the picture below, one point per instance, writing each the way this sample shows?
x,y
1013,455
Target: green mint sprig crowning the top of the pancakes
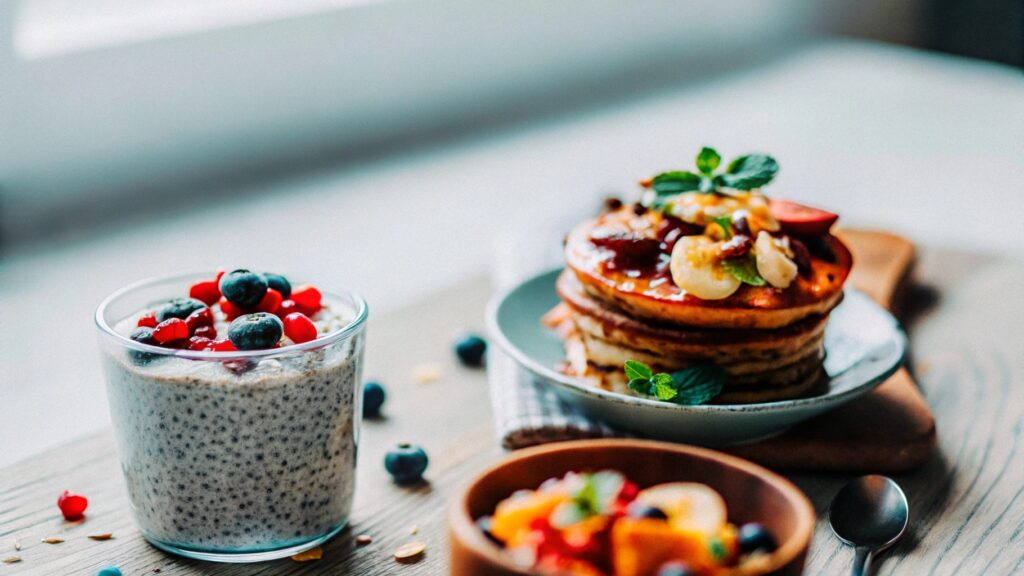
x,y
746,173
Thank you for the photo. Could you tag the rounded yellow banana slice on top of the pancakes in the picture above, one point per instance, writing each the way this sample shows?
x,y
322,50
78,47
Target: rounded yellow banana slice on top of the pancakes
x,y
696,268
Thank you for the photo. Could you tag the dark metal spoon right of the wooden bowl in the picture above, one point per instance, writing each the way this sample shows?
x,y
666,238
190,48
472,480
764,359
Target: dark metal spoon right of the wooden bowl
x,y
870,514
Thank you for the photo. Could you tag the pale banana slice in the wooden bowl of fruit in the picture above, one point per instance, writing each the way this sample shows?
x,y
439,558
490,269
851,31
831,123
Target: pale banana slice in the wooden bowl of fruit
x,y
689,506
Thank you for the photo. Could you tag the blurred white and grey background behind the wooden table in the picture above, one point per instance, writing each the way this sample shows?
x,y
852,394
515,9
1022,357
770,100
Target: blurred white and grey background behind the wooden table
x,y
403,147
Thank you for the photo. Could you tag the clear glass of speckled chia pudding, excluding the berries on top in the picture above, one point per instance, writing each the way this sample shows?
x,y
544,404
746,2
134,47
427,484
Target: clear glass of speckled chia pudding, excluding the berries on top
x,y
240,455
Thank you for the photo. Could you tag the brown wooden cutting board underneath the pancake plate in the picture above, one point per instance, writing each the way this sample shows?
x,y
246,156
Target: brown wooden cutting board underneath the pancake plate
x,y
890,430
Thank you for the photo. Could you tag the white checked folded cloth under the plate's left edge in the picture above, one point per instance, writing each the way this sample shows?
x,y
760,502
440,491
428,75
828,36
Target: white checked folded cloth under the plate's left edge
x,y
529,413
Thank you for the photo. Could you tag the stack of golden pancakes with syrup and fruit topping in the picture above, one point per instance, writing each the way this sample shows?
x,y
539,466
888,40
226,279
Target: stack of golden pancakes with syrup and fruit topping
x,y
623,300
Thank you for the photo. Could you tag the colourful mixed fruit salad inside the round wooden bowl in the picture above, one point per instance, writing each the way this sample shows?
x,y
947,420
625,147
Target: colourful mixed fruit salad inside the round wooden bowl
x,y
601,524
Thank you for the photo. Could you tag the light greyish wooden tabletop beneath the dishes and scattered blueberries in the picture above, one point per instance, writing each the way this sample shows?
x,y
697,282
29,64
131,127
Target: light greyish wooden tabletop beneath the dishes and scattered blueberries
x,y
967,504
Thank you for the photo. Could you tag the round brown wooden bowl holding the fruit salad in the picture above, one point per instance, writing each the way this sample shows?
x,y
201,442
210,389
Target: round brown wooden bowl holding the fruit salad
x,y
751,492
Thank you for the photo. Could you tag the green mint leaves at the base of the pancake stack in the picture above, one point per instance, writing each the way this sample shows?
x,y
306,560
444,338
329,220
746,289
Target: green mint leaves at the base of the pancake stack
x,y
690,387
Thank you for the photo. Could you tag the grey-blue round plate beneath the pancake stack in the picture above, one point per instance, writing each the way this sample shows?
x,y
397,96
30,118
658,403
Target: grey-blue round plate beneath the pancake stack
x,y
864,347
